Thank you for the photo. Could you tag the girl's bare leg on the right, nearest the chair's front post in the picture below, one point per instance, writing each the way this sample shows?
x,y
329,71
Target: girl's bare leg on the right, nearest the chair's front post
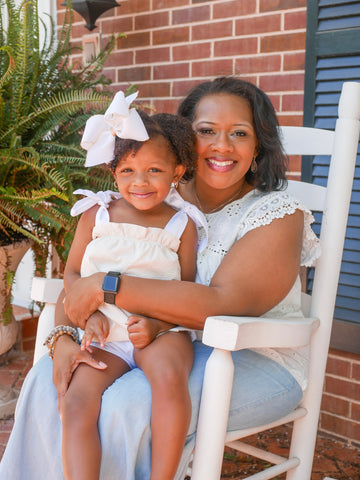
x,y
167,362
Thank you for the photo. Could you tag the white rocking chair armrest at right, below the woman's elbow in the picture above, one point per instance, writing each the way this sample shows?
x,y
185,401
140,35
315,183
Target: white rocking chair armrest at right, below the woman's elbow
x,y
236,333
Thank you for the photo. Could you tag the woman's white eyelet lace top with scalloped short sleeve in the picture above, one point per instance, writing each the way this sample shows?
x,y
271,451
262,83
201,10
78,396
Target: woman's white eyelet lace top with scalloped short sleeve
x,y
230,224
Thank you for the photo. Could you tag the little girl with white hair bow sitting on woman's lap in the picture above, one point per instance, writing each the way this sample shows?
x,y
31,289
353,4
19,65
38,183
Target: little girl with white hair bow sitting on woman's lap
x,y
133,232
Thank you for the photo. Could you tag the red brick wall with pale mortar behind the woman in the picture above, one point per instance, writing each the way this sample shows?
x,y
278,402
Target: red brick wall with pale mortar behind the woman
x,y
171,45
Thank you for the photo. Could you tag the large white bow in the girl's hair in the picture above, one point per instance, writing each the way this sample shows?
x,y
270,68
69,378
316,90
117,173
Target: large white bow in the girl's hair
x,y
100,130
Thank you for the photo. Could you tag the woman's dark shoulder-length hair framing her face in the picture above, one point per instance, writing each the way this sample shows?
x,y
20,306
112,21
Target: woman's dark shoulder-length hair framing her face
x,y
271,160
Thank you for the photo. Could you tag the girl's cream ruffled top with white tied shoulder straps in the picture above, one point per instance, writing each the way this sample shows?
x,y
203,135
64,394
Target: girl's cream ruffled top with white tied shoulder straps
x,y
134,250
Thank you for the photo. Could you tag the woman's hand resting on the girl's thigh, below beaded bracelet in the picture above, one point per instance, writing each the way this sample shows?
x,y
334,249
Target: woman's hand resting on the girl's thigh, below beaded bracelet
x,y
67,357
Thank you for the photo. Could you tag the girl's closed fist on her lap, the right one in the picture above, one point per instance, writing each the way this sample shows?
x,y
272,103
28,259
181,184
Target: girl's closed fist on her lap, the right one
x,y
143,330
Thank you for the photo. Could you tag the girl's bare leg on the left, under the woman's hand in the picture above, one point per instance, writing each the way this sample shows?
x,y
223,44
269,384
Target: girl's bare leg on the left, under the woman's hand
x,y
81,449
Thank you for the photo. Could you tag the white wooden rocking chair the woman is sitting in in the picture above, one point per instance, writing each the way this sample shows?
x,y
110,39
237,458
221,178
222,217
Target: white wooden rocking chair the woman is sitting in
x,y
228,334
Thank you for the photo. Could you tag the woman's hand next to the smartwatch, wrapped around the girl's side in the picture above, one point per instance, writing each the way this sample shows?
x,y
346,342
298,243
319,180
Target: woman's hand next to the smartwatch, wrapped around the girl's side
x,y
83,298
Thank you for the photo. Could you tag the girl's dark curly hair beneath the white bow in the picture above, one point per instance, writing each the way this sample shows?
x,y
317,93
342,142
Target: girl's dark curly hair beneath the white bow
x,y
175,129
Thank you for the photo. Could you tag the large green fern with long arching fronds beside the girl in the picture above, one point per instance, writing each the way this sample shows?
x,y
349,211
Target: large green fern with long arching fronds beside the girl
x,y
44,104
